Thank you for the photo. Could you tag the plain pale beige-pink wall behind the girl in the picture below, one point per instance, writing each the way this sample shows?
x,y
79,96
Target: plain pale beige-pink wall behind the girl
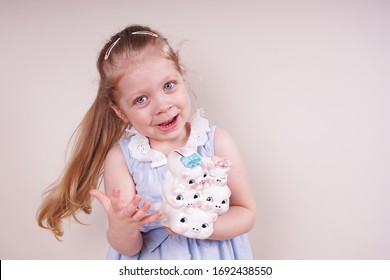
x,y
303,86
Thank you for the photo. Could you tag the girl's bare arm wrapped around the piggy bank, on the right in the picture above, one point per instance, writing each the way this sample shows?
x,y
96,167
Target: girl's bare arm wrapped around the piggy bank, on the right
x,y
242,212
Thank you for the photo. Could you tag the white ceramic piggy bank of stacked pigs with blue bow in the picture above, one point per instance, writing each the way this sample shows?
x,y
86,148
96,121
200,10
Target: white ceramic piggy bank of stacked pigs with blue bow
x,y
191,201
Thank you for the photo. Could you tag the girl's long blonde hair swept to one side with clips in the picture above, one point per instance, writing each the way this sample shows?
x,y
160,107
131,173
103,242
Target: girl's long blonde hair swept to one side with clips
x,y
100,129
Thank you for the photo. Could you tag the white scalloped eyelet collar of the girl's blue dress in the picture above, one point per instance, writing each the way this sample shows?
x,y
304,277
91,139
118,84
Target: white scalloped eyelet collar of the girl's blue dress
x,y
140,148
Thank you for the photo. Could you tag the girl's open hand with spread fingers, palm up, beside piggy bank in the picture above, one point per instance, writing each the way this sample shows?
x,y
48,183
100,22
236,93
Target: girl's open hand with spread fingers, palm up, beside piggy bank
x,y
126,218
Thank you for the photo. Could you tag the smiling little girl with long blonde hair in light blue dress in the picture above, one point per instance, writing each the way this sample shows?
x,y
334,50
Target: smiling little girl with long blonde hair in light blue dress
x,y
141,113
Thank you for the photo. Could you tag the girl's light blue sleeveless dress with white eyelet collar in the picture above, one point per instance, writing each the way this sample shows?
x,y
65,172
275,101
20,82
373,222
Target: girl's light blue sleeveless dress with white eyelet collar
x,y
148,168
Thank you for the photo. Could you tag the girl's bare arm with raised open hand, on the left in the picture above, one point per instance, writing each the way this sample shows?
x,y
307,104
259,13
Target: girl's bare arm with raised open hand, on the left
x,y
121,205
